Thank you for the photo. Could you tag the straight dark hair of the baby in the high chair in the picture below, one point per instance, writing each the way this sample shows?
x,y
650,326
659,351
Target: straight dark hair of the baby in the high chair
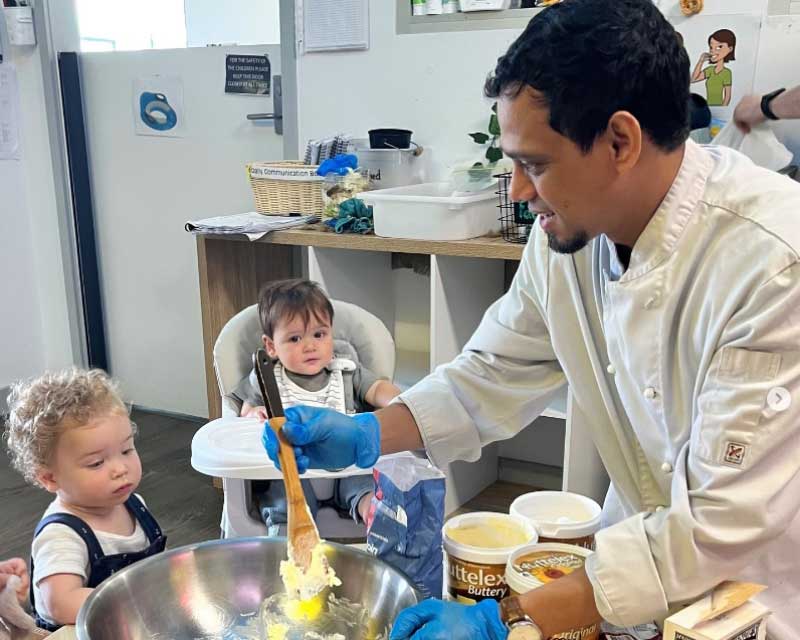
x,y
283,300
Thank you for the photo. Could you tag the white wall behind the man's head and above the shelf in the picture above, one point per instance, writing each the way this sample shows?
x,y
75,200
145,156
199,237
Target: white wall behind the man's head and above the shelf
x,y
432,83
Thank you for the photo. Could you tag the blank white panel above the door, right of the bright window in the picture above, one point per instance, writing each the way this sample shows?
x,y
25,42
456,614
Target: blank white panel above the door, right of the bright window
x,y
231,22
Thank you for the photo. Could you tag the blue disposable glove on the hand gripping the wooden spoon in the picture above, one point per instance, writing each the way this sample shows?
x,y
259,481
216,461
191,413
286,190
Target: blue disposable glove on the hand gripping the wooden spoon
x,y
327,439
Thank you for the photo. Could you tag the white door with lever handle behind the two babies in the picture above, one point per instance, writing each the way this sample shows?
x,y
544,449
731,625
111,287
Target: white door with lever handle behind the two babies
x,y
144,190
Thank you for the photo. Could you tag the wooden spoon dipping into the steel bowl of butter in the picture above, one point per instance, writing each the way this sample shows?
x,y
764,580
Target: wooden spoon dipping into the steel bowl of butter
x,y
301,530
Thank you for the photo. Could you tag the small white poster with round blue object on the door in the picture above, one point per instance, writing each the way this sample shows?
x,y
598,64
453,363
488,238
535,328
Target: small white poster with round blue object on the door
x,y
158,106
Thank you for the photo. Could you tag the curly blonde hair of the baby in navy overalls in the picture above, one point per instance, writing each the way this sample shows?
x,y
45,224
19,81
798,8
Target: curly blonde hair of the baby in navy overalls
x,y
41,409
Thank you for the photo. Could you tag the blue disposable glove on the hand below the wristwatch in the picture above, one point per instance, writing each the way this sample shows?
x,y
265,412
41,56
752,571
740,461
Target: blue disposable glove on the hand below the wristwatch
x,y
437,620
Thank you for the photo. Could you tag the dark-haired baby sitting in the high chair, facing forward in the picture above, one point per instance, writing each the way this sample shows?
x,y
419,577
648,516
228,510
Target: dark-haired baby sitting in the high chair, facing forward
x,y
297,322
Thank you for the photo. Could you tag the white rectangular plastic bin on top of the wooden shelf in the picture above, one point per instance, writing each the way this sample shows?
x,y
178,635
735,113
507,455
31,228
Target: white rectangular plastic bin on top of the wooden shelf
x,y
429,211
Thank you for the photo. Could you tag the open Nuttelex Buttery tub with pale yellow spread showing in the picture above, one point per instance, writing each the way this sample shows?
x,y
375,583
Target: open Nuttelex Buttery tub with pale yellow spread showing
x,y
478,546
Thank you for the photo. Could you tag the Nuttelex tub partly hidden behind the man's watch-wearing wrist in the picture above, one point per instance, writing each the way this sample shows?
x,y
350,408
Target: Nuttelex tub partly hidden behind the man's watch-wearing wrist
x,y
534,565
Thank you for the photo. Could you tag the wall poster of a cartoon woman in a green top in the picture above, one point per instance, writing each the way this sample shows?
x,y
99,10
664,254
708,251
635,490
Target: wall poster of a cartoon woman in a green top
x,y
722,52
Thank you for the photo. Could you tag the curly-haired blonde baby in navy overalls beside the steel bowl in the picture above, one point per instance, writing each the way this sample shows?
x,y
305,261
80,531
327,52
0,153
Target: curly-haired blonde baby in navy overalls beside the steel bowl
x,y
70,433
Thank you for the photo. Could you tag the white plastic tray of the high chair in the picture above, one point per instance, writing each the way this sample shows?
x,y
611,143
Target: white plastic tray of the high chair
x,y
231,448
